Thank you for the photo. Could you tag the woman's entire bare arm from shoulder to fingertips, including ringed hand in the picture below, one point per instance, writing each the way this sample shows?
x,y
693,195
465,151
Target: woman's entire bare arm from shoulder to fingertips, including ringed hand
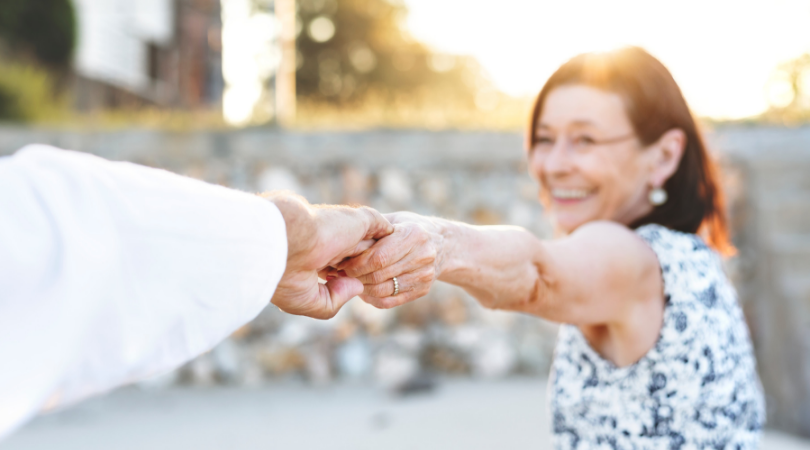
x,y
594,276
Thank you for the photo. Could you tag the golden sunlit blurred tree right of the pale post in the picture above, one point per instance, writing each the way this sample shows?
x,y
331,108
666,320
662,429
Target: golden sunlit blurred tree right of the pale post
x,y
349,50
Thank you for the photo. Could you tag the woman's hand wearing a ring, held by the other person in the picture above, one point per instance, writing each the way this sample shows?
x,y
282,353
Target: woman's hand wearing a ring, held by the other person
x,y
413,253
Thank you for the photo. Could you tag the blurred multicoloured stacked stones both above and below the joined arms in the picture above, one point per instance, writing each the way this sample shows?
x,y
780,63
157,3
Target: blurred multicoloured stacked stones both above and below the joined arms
x,y
445,333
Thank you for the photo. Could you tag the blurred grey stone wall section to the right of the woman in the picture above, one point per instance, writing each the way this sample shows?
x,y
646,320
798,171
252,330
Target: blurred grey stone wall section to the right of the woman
x,y
770,178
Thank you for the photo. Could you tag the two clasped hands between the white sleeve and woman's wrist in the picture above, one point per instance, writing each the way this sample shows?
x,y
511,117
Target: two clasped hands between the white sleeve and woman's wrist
x,y
358,251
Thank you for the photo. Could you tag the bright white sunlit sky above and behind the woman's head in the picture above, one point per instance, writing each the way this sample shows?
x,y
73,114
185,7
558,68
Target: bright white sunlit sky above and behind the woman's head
x,y
723,53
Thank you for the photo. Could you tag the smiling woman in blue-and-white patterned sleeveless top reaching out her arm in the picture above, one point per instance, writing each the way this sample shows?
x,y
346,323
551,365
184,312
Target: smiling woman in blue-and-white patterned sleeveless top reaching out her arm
x,y
653,351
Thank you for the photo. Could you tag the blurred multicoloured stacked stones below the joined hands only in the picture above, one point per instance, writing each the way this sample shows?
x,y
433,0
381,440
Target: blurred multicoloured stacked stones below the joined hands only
x,y
444,334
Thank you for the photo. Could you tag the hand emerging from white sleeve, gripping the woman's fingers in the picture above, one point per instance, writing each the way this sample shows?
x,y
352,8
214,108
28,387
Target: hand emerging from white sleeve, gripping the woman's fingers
x,y
319,237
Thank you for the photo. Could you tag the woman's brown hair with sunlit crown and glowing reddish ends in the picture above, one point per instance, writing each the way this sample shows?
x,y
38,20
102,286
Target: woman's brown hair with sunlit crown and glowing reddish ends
x,y
654,104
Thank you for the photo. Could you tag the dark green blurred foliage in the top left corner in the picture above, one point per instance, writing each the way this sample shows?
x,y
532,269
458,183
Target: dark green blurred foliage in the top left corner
x,y
42,30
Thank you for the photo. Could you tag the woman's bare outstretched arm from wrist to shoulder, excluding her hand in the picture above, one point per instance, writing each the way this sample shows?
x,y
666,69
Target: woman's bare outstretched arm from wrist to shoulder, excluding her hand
x,y
594,276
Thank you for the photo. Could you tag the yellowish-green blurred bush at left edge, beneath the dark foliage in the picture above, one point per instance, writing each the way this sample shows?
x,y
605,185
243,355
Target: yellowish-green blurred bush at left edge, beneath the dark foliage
x,y
27,94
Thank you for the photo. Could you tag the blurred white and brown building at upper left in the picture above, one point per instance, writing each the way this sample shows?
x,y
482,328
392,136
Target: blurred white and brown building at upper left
x,y
164,53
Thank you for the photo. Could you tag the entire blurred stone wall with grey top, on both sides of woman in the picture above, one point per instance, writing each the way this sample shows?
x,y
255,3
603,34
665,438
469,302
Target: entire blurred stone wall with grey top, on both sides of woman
x,y
479,178
